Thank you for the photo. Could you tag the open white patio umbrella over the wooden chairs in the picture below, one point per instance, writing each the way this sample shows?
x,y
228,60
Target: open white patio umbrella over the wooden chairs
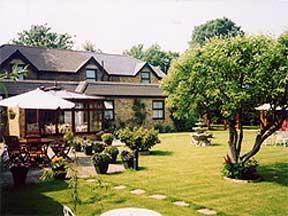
x,y
37,99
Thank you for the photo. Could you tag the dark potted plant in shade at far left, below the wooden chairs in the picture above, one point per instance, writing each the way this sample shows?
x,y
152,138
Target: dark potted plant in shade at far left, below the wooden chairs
x,y
19,164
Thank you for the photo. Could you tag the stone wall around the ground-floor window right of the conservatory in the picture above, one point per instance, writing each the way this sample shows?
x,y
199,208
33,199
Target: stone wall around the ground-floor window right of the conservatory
x,y
124,112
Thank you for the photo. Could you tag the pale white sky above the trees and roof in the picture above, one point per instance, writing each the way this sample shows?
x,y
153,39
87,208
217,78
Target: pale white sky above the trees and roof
x,y
116,25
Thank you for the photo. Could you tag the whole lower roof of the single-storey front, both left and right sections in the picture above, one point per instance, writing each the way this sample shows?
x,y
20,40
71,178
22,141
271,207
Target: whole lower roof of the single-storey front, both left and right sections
x,y
115,89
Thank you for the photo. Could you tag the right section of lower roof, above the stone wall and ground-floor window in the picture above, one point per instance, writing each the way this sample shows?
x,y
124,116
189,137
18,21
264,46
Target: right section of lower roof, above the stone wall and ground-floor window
x,y
123,89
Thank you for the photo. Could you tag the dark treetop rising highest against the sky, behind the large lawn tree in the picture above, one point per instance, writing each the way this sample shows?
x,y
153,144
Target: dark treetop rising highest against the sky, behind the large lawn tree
x,y
220,27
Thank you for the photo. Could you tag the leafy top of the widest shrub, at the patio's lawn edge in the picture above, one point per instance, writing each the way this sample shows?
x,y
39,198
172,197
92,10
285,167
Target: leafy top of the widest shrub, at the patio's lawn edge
x,y
139,138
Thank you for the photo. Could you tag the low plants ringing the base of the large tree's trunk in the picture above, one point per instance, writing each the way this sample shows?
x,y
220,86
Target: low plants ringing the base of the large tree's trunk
x,y
244,171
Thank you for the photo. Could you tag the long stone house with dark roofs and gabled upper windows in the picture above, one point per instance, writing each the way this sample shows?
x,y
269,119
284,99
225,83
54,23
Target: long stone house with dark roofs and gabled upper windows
x,y
129,88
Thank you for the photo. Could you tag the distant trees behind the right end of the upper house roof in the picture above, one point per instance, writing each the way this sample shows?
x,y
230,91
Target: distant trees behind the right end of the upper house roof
x,y
154,55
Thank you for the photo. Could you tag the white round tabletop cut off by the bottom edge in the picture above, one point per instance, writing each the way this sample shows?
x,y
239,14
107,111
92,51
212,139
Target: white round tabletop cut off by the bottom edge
x,y
131,212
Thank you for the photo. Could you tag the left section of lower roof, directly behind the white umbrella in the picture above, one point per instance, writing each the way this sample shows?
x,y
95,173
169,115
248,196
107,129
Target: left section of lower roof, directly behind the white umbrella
x,y
19,87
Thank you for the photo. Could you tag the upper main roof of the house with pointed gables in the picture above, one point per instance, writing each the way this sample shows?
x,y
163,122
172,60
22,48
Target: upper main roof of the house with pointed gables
x,y
61,60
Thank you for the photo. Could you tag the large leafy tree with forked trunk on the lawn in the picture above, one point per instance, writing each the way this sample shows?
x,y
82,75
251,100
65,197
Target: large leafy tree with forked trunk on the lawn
x,y
228,75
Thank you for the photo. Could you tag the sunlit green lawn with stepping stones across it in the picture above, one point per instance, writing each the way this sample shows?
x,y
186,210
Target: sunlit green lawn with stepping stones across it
x,y
180,171
